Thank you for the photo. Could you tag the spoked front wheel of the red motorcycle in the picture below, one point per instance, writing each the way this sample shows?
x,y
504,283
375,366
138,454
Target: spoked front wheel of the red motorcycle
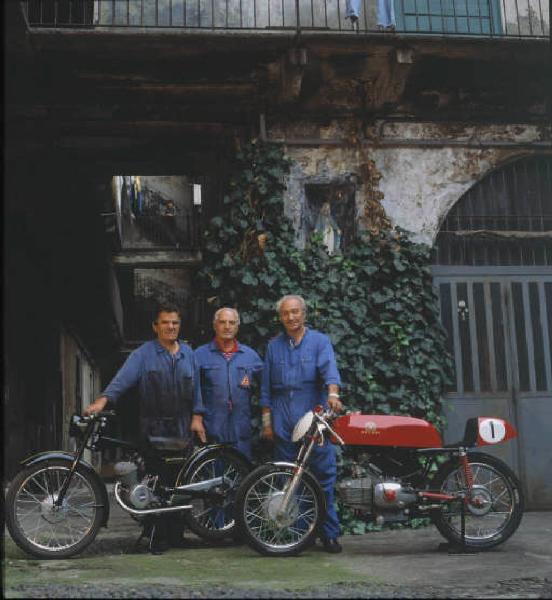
x,y
261,525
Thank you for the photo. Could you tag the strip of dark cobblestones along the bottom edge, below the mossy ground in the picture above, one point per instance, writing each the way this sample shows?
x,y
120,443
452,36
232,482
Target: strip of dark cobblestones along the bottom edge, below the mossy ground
x,y
515,588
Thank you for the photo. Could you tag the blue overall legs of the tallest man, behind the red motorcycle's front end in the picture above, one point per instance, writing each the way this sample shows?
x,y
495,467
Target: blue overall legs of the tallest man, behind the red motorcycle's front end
x,y
322,465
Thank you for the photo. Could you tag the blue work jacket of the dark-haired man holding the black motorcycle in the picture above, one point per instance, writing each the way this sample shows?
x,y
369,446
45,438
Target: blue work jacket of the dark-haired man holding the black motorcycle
x,y
167,385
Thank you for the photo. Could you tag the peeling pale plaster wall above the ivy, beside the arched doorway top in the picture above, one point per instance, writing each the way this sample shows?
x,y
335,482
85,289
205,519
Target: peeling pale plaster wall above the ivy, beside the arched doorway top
x,y
420,183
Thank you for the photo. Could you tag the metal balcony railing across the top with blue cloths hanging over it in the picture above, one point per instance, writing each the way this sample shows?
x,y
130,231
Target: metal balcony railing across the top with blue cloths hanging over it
x,y
481,18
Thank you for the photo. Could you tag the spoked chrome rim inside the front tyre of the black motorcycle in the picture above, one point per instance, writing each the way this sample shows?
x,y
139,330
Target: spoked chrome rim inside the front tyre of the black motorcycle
x,y
47,526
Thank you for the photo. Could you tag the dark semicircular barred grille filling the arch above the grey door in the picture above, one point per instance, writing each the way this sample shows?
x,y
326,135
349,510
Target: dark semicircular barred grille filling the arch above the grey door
x,y
505,219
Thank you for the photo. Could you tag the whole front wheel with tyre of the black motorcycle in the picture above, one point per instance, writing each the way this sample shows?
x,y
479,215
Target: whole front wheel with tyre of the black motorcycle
x,y
47,532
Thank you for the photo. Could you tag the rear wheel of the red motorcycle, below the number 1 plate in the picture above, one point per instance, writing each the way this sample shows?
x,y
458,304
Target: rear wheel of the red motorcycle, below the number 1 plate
x,y
494,509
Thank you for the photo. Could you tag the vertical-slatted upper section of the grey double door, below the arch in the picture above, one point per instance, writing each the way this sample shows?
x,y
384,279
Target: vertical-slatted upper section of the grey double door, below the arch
x,y
499,329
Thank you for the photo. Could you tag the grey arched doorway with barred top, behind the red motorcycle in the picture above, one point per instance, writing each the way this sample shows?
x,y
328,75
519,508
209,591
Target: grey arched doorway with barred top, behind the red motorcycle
x,y
493,273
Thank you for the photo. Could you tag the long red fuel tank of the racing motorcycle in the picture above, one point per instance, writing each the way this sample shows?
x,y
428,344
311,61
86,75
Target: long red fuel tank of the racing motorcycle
x,y
385,430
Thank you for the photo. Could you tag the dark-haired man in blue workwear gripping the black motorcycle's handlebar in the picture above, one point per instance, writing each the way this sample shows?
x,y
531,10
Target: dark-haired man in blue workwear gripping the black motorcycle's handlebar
x,y
165,376
